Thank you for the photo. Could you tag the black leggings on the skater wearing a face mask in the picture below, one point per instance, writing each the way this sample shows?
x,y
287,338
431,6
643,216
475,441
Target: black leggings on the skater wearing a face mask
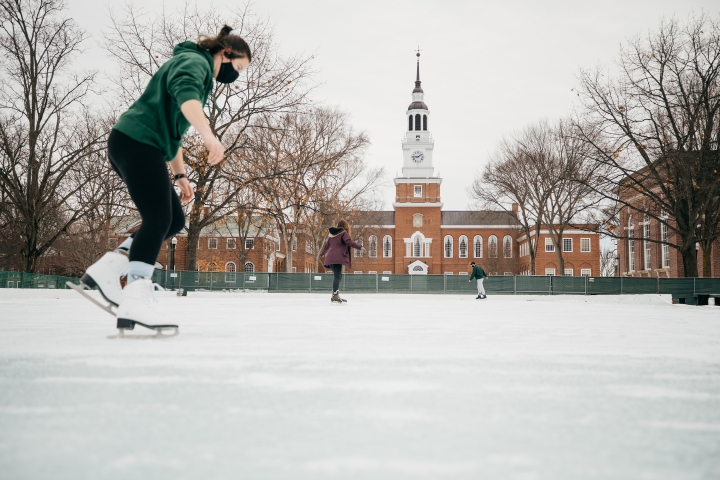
x,y
144,170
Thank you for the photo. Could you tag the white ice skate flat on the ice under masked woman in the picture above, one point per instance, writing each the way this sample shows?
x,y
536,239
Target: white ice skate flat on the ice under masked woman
x,y
140,307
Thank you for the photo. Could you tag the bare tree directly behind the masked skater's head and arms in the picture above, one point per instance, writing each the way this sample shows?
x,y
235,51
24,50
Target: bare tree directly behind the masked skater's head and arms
x,y
273,84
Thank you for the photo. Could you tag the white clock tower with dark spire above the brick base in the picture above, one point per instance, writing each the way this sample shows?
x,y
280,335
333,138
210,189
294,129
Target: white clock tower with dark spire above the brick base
x,y
418,143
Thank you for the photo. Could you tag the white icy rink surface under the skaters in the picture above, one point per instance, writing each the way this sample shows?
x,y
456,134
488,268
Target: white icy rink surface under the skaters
x,y
287,386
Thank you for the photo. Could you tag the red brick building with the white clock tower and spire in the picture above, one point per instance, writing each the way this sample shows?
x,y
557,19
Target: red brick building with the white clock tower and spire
x,y
418,237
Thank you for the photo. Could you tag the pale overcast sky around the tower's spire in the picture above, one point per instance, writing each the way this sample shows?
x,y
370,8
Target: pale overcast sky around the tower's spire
x,y
487,67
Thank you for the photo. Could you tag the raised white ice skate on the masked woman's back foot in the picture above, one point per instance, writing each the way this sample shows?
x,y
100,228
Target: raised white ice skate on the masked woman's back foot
x,y
105,275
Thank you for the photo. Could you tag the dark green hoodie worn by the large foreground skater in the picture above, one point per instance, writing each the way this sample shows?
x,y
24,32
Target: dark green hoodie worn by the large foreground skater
x,y
155,118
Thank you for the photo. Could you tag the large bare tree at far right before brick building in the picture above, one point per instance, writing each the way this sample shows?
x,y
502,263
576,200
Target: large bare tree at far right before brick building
x,y
654,127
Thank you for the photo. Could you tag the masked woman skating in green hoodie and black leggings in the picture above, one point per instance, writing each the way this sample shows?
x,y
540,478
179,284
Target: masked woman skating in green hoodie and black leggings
x,y
145,139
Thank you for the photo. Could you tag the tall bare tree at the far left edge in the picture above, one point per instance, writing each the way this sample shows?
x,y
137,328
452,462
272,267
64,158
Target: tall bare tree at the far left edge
x,y
48,137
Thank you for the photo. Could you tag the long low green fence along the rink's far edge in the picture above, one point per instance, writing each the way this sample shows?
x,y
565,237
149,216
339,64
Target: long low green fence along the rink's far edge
x,y
686,290
